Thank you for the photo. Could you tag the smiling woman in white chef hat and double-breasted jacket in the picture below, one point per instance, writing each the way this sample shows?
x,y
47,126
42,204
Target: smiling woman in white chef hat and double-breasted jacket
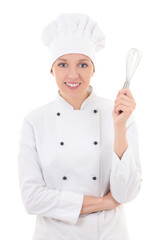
x,y
78,157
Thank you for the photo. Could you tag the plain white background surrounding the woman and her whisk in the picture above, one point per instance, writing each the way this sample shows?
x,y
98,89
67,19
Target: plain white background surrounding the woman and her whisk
x,y
26,83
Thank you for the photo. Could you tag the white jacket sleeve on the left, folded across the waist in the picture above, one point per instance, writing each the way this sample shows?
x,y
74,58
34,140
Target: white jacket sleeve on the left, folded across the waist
x,y
38,199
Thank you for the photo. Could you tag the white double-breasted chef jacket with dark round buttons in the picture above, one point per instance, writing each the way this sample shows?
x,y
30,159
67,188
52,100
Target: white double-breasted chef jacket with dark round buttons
x,y
65,154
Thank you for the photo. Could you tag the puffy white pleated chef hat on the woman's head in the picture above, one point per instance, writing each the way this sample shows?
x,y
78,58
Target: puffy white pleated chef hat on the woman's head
x,y
73,33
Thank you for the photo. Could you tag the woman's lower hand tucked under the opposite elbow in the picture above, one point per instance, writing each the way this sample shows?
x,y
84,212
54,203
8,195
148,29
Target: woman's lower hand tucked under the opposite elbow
x,y
109,202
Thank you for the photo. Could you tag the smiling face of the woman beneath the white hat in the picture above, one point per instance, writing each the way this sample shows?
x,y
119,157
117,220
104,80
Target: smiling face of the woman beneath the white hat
x,y
74,69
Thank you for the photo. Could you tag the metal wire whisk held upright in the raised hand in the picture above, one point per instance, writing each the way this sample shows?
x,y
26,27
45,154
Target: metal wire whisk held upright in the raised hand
x,y
133,60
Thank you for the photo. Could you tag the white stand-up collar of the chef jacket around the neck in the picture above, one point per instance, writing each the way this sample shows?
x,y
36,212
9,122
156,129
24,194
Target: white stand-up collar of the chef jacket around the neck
x,y
86,104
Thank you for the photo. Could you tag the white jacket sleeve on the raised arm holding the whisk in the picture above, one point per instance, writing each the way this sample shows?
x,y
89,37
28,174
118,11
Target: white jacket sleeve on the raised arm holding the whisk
x,y
125,177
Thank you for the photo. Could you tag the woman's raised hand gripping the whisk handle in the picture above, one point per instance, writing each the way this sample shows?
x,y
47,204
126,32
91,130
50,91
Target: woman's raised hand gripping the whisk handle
x,y
124,102
